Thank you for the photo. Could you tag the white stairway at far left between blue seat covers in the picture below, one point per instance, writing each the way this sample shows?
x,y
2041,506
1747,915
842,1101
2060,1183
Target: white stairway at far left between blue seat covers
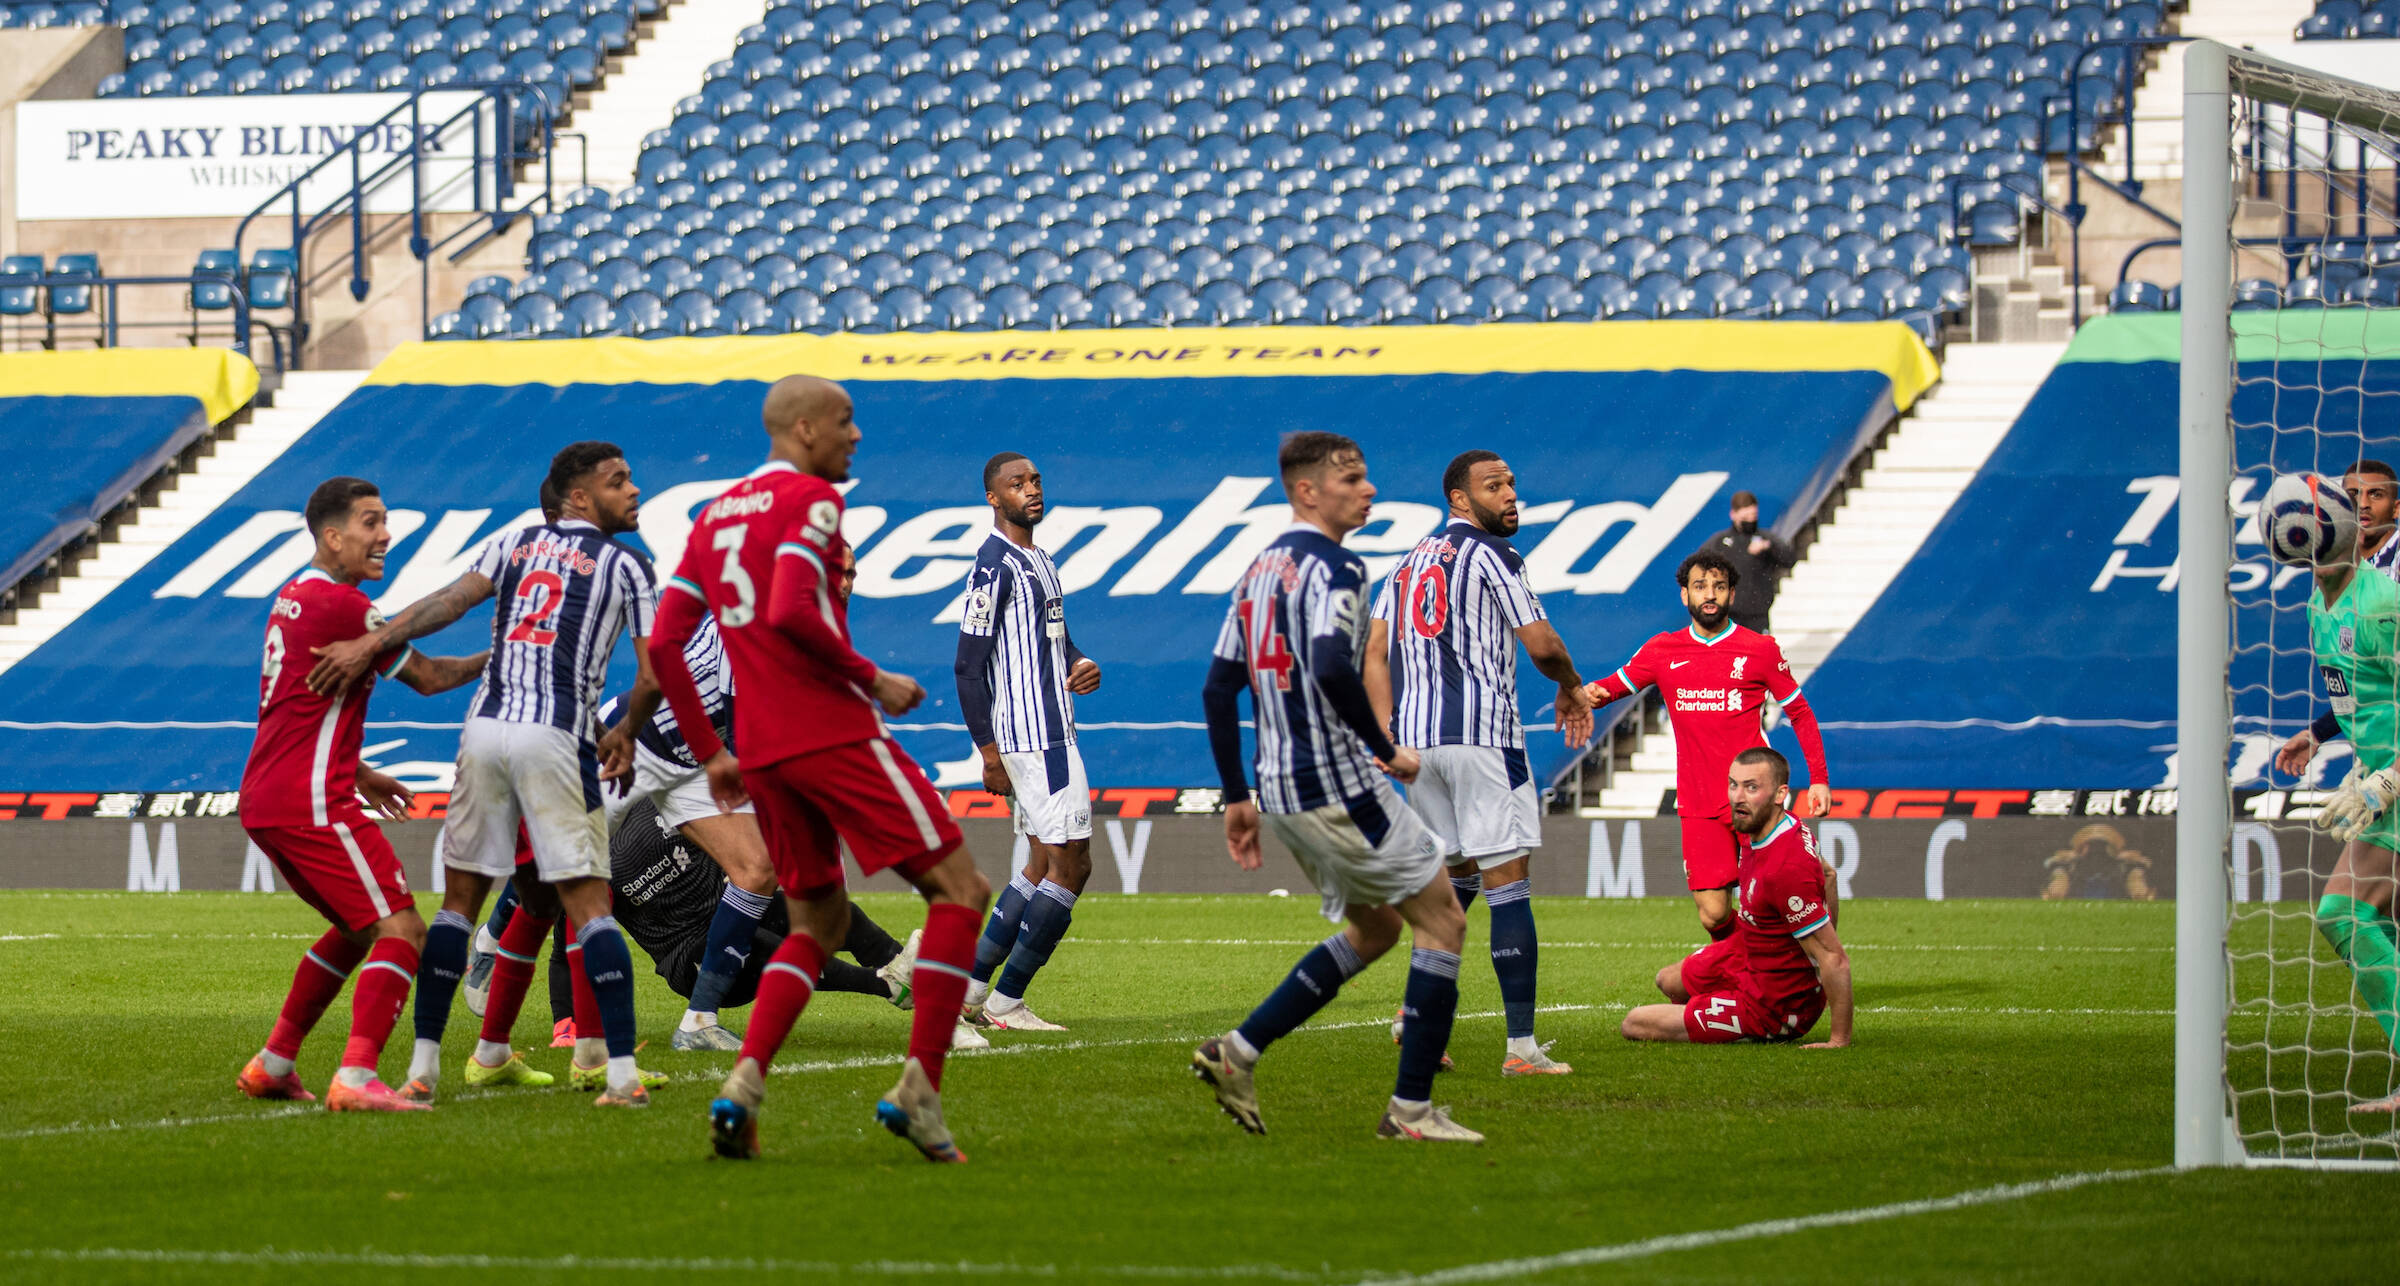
x,y
239,452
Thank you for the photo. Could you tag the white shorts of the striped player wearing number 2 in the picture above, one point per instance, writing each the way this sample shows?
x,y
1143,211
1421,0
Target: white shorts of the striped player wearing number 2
x,y
527,774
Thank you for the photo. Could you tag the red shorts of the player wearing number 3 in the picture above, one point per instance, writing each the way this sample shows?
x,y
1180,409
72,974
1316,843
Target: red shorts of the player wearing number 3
x,y
868,798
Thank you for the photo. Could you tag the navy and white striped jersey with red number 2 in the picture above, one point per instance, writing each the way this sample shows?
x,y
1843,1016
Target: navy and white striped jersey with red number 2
x,y
565,594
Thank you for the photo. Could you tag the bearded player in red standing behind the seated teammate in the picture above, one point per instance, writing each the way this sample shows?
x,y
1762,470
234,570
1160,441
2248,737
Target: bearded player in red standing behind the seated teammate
x,y
1715,678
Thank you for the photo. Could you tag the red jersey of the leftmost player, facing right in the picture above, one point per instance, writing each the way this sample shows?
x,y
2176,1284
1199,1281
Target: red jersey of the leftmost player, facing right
x,y
304,764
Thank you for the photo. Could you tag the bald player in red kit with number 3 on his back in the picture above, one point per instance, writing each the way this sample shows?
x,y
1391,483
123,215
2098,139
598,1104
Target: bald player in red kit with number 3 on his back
x,y
817,757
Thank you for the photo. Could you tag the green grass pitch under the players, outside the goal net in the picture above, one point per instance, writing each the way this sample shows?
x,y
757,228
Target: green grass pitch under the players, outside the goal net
x,y
2005,1114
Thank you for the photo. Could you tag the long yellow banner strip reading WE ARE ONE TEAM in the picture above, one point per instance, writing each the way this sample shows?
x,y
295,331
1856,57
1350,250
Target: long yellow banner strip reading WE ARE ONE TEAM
x,y
1184,354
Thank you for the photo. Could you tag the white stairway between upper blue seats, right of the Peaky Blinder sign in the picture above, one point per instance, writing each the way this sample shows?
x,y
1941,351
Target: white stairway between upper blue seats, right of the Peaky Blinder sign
x,y
666,68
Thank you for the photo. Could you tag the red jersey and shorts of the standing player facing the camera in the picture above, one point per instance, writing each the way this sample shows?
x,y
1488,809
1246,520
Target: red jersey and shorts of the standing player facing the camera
x,y
1715,699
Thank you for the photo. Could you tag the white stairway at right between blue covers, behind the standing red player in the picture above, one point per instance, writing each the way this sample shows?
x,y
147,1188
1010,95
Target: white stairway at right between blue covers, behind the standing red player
x,y
1868,534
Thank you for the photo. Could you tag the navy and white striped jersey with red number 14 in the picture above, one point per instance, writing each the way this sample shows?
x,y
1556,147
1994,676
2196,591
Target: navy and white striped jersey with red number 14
x,y
1302,594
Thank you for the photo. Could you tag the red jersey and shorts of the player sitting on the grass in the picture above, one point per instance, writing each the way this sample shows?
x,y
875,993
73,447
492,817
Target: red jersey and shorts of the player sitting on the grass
x,y
1758,985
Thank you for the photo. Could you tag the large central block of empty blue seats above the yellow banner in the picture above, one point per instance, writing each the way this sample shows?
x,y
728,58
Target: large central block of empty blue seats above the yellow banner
x,y
1120,164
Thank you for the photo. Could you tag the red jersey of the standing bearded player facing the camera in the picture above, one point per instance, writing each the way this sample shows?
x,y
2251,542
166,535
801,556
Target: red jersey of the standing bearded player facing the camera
x,y
1715,697
